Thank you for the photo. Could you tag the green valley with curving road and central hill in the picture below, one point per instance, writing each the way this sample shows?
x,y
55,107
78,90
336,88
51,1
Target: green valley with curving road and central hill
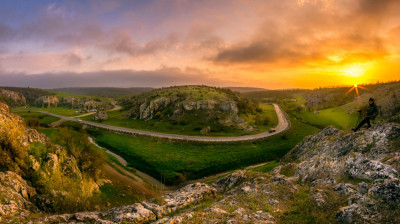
x,y
144,160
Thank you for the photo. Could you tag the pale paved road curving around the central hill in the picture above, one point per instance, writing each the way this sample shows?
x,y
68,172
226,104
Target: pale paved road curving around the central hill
x,y
283,125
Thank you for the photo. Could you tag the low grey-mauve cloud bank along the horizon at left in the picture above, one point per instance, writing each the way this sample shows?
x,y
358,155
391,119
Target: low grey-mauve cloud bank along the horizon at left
x,y
123,78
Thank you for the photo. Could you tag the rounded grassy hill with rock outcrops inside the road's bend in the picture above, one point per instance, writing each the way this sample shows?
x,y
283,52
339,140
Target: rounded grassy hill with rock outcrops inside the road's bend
x,y
214,109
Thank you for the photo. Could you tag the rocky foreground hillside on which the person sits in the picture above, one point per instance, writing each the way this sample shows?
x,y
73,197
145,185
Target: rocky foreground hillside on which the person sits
x,y
331,177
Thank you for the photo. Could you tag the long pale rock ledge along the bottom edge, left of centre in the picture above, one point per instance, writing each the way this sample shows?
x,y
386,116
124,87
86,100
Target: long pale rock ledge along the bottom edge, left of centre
x,y
144,212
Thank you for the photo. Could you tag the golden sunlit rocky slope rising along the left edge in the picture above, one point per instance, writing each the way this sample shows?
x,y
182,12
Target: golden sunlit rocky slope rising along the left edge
x,y
18,199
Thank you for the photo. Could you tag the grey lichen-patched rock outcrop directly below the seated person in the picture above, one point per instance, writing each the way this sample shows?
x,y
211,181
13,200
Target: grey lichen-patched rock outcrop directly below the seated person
x,y
331,153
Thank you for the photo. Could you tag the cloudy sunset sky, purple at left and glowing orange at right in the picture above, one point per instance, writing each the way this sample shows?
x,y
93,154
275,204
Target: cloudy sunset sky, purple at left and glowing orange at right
x,y
261,43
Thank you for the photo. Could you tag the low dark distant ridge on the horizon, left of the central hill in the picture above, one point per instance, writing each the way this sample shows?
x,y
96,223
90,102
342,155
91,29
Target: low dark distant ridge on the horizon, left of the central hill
x,y
104,91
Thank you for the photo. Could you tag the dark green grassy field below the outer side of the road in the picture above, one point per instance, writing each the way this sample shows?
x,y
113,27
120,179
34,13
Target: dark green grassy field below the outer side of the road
x,y
177,160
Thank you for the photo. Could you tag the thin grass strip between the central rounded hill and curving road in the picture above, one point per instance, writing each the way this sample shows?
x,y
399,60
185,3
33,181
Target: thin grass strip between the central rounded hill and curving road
x,y
192,126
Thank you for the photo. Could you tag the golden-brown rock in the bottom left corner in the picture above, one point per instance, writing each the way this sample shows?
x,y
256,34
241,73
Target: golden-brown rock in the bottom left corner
x,y
14,197
